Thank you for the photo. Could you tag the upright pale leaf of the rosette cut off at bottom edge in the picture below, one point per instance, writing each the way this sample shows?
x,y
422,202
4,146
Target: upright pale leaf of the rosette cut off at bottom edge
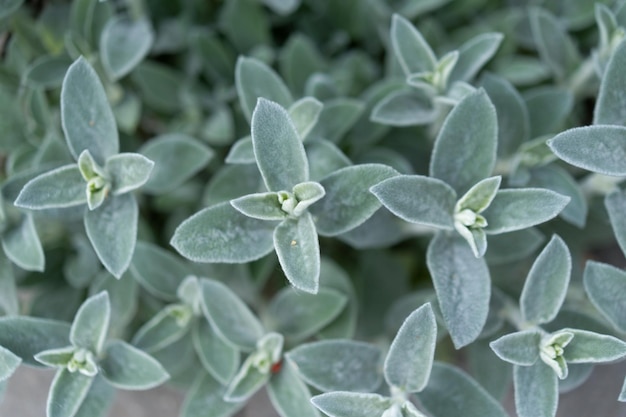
x,y
410,357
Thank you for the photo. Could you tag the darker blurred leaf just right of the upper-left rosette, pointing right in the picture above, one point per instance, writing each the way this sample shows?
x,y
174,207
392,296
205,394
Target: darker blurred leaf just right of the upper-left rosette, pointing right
x,y
177,157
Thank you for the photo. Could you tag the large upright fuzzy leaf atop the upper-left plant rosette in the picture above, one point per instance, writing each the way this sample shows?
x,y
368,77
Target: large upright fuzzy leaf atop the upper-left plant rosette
x,y
86,116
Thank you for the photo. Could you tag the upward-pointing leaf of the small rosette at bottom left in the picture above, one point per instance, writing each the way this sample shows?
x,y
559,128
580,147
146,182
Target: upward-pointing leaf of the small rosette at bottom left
x,y
91,323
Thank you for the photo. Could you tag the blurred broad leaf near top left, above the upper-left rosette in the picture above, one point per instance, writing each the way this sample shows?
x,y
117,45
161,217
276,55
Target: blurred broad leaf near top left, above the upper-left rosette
x,y
123,44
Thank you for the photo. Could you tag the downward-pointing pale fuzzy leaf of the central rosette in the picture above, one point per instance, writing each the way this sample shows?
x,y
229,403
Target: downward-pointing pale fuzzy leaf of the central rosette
x,y
297,247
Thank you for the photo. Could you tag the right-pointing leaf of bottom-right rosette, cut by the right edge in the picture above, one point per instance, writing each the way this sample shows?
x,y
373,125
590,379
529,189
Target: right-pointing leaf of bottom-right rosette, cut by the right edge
x,y
591,347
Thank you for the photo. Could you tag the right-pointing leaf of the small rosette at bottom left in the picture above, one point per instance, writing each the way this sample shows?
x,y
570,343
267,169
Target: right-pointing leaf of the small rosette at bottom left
x,y
129,368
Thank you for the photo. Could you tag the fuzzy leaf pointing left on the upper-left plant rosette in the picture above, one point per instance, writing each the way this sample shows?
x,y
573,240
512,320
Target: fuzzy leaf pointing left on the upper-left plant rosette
x,y
59,188
